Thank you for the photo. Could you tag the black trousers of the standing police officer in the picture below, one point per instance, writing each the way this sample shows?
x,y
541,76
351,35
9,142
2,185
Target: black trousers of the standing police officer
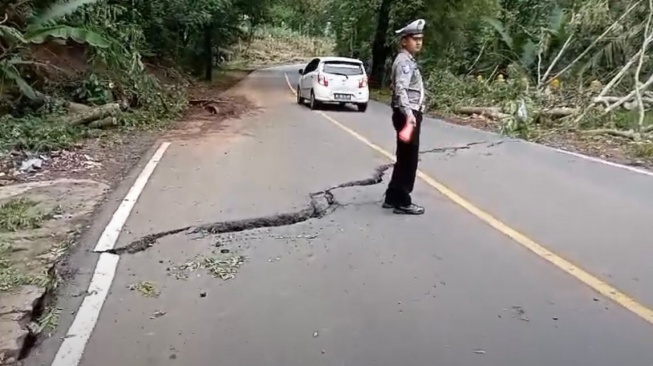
x,y
403,175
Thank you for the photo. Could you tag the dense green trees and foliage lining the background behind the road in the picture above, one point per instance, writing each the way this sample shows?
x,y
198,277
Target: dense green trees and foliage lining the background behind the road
x,y
534,46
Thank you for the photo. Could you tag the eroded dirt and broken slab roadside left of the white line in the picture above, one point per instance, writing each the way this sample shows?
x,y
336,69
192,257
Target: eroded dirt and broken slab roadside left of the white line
x,y
48,201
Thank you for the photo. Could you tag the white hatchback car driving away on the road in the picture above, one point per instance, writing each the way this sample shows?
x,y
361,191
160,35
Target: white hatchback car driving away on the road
x,y
334,80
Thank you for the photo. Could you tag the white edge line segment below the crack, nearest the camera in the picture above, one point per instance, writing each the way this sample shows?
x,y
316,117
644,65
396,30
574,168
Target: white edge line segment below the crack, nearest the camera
x,y
71,350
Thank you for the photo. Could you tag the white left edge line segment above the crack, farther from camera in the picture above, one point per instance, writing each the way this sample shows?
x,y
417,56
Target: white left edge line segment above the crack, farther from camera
x,y
111,232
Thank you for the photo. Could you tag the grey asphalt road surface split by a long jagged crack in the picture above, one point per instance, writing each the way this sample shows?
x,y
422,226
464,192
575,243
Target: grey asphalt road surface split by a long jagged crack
x,y
352,284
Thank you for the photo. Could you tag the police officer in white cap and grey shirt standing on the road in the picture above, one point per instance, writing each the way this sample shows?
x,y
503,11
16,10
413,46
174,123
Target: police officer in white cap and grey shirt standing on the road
x,y
407,108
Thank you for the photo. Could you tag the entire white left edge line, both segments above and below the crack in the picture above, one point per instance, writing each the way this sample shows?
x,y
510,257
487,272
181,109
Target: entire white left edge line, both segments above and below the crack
x,y
72,349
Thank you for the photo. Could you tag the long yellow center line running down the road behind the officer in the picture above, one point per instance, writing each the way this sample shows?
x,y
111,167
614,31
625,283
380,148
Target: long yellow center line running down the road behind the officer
x,y
575,271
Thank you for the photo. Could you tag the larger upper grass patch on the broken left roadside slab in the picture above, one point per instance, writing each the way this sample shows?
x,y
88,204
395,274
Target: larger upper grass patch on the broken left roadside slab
x,y
21,214
